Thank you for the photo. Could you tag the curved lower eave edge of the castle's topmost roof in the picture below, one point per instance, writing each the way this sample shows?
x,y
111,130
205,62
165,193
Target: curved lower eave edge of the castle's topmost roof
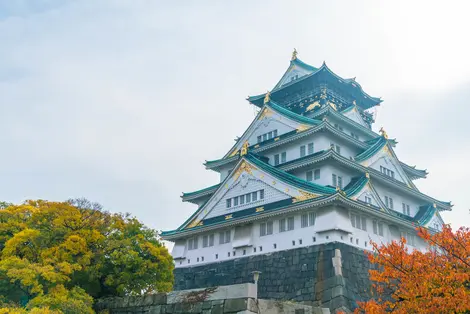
x,y
366,102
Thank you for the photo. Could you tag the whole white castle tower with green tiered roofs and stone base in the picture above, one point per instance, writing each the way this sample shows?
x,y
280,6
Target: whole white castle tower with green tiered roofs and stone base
x,y
307,175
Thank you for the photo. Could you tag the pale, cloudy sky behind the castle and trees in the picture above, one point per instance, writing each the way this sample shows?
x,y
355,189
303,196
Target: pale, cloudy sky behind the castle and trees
x,y
121,102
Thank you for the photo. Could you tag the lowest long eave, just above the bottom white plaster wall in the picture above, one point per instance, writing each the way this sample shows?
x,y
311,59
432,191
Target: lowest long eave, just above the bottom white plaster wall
x,y
337,198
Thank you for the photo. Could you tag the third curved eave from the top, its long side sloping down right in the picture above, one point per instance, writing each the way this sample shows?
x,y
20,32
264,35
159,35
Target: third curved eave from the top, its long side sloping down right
x,y
375,174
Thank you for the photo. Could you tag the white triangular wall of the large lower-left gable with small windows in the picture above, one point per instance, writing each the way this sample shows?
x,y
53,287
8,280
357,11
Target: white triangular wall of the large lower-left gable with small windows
x,y
270,195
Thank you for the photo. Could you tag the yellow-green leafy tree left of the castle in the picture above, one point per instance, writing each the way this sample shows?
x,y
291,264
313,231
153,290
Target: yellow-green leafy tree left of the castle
x,y
60,255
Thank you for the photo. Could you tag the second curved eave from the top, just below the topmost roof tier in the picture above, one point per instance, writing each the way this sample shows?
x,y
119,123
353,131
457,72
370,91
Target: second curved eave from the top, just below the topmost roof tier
x,y
216,165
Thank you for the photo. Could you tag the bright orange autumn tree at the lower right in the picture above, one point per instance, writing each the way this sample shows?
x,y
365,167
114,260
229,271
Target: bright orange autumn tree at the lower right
x,y
433,281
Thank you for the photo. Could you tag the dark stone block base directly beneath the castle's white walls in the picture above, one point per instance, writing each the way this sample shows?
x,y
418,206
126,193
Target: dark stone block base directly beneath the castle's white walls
x,y
306,274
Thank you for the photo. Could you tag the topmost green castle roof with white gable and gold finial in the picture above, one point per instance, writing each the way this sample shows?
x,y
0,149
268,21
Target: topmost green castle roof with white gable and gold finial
x,y
301,77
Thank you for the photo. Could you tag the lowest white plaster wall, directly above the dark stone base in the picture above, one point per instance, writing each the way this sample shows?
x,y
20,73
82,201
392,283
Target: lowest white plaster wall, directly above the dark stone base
x,y
284,240
